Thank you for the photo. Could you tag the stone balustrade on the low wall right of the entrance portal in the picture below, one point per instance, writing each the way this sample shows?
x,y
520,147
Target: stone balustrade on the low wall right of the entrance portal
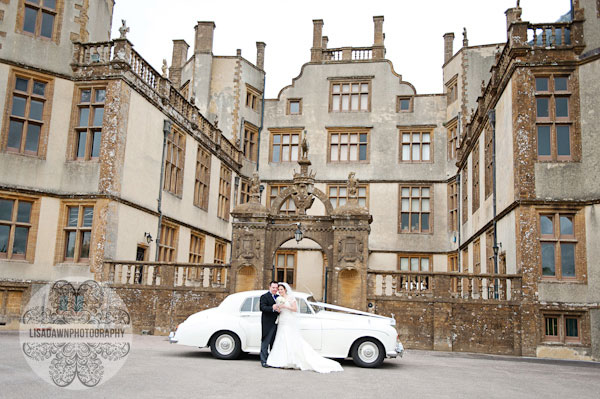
x,y
444,285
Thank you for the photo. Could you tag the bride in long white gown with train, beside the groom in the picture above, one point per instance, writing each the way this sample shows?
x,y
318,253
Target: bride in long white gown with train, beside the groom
x,y
290,350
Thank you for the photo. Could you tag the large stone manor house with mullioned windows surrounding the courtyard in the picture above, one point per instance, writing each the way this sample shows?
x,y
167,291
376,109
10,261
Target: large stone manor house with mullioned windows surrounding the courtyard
x,y
470,215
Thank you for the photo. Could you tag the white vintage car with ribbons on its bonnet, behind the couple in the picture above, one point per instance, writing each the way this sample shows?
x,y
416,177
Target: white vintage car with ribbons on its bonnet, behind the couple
x,y
333,331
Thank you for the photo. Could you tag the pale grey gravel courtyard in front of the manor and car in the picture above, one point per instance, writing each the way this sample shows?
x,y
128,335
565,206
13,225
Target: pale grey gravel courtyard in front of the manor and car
x,y
155,368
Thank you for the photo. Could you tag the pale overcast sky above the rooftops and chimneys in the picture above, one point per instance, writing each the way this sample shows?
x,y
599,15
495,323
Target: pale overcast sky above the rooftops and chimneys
x,y
413,30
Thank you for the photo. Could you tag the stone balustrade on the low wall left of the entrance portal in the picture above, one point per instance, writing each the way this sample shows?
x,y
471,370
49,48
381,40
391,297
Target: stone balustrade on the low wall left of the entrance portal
x,y
166,274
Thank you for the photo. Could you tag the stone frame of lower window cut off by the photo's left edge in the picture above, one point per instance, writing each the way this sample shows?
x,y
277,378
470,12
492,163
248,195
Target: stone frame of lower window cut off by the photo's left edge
x,y
32,225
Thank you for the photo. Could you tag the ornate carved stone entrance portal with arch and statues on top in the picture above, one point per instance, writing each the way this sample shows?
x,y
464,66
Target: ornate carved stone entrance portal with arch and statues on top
x,y
342,233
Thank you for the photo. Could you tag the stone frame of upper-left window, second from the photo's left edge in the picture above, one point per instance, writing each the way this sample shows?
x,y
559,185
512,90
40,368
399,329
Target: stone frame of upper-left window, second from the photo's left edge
x,y
75,129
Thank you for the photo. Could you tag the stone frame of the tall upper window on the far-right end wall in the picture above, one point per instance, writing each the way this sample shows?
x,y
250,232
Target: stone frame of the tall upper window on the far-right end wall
x,y
552,120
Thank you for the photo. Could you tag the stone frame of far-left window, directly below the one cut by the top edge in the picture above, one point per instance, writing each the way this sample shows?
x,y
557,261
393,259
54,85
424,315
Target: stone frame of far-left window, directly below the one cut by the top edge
x,y
46,113
